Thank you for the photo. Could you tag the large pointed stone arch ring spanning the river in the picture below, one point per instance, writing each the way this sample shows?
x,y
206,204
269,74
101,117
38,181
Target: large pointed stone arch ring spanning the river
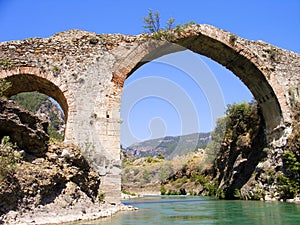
x,y
231,52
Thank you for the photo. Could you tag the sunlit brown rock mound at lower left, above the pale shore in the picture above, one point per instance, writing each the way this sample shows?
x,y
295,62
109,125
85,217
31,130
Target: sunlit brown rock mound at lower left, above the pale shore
x,y
61,179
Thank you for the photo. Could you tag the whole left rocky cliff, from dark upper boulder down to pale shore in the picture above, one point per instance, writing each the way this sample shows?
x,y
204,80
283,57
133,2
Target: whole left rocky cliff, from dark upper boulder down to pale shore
x,y
41,183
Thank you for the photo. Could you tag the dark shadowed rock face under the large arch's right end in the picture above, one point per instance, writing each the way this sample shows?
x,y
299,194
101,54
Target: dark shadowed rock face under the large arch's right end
x,y
241,151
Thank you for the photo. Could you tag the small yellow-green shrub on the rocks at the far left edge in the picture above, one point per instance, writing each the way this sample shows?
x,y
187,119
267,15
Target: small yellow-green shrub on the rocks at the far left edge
x,y
8,158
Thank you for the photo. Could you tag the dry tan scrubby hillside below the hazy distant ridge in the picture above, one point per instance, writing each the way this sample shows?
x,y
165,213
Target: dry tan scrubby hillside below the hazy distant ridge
x,y
145,176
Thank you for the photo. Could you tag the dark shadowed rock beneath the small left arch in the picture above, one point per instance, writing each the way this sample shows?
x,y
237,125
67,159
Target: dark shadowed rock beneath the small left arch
x,y
25,129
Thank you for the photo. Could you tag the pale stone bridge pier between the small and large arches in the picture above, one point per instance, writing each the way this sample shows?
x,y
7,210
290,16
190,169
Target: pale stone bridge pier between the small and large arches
x,y
94,124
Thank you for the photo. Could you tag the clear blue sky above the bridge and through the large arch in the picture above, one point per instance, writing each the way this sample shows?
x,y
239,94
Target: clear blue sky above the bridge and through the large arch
x,y
185,103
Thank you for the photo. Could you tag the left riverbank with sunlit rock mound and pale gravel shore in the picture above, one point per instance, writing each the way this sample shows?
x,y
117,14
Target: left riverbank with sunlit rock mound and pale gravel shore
x,y
56,187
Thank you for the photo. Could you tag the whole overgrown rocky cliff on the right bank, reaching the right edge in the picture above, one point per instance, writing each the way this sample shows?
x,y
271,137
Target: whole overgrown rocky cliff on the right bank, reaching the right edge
x,y
246,167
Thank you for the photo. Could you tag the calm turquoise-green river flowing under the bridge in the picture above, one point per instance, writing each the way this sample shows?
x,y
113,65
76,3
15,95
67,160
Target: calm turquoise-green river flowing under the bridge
x,y
203,210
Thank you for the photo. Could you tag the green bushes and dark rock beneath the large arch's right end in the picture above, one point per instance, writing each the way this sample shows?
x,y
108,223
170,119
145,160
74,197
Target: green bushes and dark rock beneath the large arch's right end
x,y
238,137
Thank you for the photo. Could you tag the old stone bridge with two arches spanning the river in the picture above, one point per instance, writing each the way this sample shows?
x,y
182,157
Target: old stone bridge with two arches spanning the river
x,y
85,73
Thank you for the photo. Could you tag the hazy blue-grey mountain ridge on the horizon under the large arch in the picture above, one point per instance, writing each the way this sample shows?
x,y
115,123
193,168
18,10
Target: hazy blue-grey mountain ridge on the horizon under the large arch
x,y
169,146
